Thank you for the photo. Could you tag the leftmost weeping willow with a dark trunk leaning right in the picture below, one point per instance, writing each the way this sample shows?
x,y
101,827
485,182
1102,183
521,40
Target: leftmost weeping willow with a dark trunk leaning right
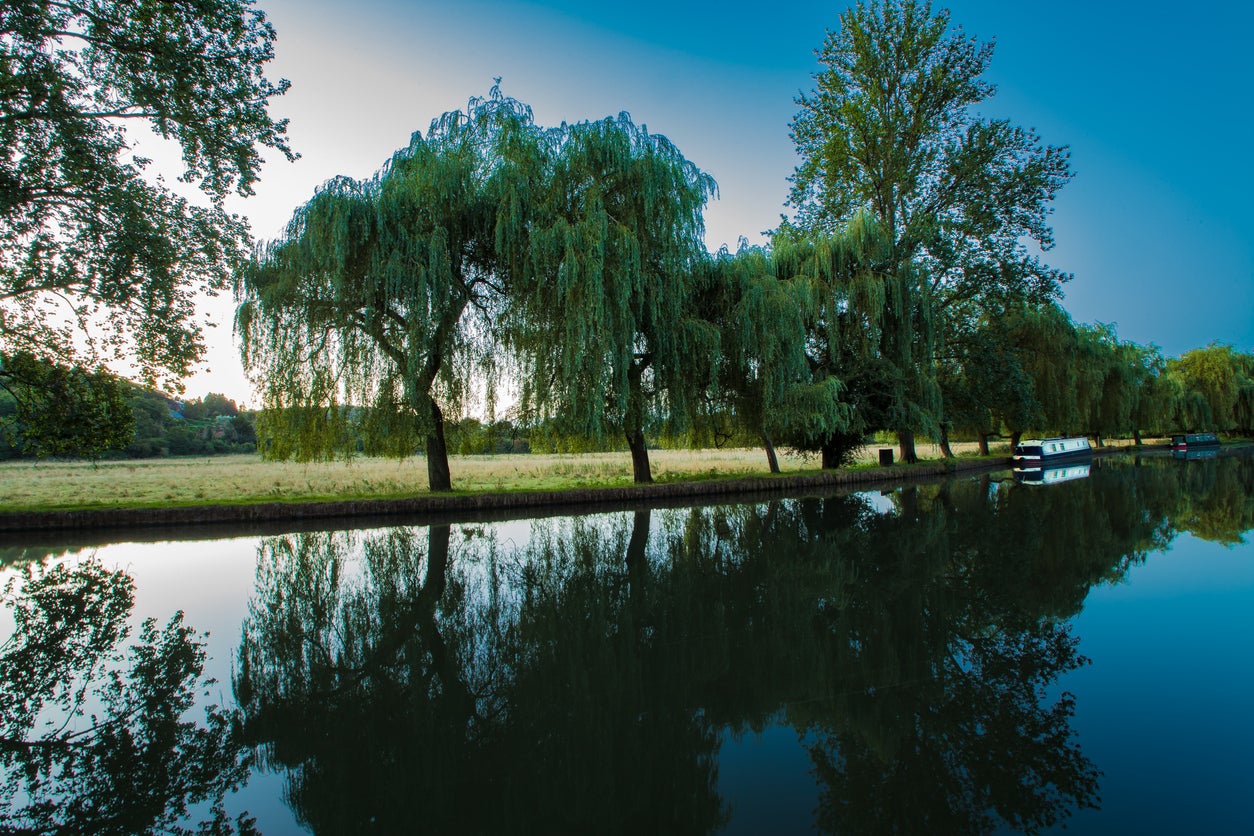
x,y
381,294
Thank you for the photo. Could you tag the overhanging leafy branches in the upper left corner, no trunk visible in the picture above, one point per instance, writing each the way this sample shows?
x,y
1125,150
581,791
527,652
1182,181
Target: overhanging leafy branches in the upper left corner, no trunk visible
x,y
100,263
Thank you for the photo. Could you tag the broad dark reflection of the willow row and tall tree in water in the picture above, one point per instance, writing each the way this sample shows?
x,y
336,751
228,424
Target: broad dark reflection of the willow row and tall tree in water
x,y
447,680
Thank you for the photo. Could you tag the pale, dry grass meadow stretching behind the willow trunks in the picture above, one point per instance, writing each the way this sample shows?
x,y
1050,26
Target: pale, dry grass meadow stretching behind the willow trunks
x,y
156,483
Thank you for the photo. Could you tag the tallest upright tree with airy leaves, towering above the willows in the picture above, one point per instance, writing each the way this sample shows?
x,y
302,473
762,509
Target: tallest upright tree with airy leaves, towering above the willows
x,y
890,130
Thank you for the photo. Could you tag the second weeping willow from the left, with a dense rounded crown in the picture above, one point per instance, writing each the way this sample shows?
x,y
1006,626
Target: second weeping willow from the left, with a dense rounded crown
x,y
603,321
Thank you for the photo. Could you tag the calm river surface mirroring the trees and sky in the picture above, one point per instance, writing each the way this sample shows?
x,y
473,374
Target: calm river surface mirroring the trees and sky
x,y
975,656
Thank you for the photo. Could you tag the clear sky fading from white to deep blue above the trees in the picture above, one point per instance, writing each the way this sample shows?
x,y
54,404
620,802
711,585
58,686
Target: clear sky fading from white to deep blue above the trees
x,y
1154,102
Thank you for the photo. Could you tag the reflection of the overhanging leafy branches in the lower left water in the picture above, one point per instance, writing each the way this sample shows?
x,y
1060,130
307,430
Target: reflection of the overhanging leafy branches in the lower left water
x,y
95,729
